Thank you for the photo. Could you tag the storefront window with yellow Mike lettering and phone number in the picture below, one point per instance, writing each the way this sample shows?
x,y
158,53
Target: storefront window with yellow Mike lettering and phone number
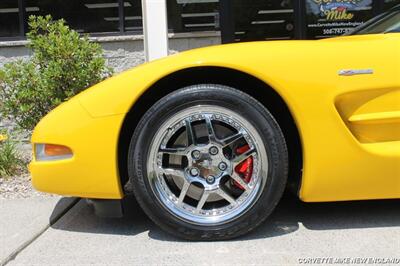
x,y
327,18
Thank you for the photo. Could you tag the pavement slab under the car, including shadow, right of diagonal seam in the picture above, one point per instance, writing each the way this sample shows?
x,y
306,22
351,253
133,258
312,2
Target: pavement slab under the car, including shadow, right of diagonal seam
x,y
296,233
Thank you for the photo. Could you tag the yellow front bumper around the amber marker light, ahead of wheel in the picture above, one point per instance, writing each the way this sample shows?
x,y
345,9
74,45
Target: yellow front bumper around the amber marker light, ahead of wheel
x,y
92,172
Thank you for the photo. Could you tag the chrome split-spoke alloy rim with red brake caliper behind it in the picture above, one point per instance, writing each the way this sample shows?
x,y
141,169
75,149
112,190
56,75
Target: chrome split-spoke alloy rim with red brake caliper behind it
x,y
207,165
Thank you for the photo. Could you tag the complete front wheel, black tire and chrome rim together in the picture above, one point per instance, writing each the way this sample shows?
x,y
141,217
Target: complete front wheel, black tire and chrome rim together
x,y
208,162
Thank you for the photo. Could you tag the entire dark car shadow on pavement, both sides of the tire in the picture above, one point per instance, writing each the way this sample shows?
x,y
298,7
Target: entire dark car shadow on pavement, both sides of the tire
x,y
289,215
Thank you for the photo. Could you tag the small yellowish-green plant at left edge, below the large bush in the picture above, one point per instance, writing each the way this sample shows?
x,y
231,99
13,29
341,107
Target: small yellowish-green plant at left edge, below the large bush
x,y
10,160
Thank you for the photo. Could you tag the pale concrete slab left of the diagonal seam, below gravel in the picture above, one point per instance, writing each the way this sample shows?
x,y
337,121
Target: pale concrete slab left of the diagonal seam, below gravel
x,y
23,220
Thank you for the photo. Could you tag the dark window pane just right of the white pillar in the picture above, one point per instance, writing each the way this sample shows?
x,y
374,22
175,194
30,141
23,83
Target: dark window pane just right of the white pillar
x,y
193,15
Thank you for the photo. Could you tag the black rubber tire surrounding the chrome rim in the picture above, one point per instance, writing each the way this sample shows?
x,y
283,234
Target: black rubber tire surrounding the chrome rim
x,y
226,97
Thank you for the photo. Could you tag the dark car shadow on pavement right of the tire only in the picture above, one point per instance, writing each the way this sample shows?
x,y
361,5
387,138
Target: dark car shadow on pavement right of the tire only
x,y
292,213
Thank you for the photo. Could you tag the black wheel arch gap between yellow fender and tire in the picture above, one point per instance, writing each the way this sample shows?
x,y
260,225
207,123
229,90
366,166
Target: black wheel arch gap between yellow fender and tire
x,y
249,84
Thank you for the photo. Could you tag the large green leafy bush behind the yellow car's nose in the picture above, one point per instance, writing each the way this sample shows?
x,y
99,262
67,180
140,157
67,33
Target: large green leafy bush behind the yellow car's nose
x,y
62,65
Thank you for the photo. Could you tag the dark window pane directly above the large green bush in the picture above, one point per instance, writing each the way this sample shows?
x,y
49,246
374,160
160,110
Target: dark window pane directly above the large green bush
x,y
88,16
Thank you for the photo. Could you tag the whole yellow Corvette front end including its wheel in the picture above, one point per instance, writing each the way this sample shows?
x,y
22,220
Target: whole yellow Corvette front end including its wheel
x,y
207,140
